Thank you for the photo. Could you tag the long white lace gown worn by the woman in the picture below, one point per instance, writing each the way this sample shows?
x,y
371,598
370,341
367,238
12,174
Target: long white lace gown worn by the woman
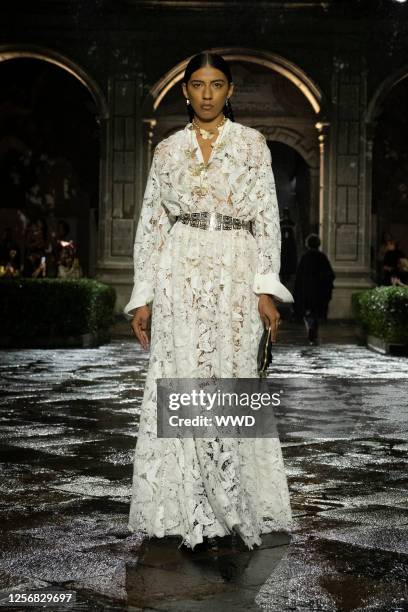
x,y
203,286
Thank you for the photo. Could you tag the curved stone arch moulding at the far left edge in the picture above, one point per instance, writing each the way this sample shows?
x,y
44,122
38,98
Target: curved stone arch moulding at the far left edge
x,y
10,52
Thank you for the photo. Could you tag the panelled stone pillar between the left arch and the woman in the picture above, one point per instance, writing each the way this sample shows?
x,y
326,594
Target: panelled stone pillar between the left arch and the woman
x,y
121,186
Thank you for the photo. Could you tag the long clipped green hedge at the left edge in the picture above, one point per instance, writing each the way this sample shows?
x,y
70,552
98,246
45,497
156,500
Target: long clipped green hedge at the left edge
x,y
55,308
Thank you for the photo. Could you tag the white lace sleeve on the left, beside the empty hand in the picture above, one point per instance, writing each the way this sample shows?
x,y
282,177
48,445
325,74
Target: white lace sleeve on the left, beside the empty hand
x,y
152,229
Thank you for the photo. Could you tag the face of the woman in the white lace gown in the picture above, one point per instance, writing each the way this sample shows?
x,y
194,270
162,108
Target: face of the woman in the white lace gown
x,y
207,91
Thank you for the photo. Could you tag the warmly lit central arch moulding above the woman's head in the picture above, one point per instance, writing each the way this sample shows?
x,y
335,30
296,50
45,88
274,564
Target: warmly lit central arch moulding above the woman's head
x,y
275,62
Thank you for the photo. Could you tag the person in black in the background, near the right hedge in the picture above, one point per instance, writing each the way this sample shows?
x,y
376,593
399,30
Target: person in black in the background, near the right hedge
x,y
313,287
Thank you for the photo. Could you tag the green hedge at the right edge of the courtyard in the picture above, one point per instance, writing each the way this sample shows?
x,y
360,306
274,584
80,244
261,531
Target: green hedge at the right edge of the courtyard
x,y
383,312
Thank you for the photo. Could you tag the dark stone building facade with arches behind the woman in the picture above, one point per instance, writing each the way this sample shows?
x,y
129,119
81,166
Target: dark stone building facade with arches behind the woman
x,y
313,77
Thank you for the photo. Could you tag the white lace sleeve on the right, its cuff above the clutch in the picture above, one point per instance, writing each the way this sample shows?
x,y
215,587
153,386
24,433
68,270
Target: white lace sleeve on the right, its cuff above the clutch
x,y
267,233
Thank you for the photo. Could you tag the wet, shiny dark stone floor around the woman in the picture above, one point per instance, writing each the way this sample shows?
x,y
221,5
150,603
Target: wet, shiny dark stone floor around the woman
x,y
68,427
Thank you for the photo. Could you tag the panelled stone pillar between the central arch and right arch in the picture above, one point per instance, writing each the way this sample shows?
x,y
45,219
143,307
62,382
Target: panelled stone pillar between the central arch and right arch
x,y
347,230
